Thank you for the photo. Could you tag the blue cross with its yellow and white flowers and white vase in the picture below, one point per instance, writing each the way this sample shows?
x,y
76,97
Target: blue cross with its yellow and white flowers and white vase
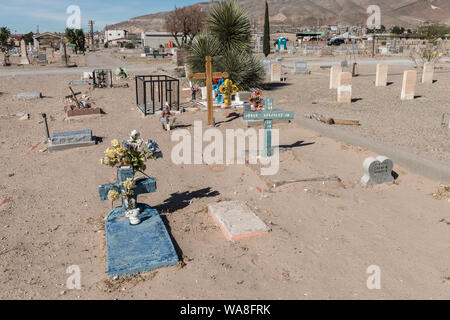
x,y
128,158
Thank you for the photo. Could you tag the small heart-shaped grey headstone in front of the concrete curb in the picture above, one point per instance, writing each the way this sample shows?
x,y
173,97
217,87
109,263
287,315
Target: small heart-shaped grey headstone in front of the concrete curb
x,y
377,170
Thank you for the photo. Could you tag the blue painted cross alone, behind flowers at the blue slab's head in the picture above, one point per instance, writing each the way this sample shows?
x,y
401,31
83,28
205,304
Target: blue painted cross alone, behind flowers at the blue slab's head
x,y
142,186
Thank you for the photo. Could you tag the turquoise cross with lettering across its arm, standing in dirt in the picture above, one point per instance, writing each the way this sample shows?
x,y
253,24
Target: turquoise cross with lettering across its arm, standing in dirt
x,y
268,114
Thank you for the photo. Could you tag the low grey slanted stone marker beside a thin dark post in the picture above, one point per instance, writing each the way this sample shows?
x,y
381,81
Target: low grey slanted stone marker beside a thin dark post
x,y
71,139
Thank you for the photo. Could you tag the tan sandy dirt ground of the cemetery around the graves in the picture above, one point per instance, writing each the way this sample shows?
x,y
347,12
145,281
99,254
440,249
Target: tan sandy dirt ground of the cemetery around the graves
x,y
324,234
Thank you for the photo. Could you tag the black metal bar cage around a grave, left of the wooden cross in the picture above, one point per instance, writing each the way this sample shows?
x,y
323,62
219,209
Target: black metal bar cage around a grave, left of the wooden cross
x,y
153,91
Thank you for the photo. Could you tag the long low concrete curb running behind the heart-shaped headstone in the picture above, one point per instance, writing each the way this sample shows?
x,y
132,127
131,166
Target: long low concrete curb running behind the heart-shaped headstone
x,y
433,170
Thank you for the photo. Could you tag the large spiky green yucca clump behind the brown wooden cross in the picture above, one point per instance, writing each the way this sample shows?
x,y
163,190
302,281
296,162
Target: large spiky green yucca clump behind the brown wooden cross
x,y
227,41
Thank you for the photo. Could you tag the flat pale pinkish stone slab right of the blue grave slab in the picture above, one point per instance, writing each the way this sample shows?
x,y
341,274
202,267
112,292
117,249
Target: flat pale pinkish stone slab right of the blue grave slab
x,y
236,220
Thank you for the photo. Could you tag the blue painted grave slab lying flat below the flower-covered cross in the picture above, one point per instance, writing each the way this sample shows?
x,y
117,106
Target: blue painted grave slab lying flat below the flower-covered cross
x,y
140,248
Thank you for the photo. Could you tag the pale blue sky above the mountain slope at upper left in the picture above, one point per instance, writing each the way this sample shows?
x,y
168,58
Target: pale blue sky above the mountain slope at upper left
x,y
22,16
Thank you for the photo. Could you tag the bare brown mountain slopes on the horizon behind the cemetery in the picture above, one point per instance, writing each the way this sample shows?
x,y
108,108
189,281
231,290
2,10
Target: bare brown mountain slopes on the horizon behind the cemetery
x,y
308,13
